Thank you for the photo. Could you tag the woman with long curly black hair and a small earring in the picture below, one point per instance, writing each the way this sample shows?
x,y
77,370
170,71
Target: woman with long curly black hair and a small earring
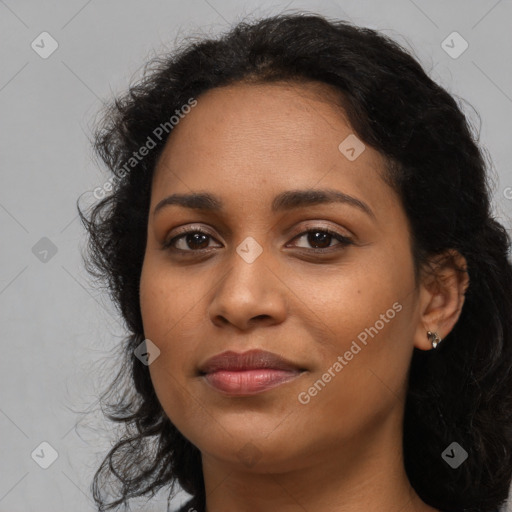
x,y
300,240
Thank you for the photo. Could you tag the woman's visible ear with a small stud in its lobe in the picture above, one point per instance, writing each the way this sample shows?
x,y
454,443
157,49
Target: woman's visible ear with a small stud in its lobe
x,y
444,282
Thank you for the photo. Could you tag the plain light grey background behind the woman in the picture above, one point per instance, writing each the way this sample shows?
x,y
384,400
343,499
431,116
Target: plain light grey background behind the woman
x,y
59,333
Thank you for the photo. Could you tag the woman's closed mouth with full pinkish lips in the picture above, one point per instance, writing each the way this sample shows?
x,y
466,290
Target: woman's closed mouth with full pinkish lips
x,y
248,373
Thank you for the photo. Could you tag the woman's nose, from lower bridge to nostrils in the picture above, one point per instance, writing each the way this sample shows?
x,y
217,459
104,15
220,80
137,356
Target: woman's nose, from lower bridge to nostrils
x,y
248,295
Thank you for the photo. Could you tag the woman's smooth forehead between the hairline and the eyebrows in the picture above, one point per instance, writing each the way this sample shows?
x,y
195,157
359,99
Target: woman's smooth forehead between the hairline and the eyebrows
x,y
276,136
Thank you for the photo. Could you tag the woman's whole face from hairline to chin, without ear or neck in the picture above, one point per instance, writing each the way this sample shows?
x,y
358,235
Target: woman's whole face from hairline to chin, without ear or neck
x,y
305,253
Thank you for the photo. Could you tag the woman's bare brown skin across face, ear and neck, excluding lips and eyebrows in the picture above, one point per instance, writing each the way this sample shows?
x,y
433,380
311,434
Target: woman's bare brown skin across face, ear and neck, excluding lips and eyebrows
x,y
342,450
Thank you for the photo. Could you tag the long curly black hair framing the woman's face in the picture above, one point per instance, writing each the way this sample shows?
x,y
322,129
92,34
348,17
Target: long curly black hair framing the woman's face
x,y
460,392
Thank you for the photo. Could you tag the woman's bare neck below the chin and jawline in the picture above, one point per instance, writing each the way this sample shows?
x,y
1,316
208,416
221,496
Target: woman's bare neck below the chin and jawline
x,y
361,475
